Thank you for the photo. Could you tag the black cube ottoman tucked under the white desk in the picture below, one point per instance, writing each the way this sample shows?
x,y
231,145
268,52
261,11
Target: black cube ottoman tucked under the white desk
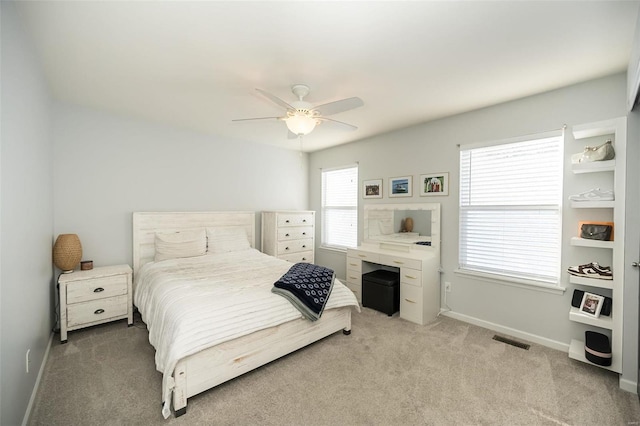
x,y
381,291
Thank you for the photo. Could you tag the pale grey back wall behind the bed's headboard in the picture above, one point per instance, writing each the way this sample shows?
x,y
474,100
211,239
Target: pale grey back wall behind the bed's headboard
x,y
106,167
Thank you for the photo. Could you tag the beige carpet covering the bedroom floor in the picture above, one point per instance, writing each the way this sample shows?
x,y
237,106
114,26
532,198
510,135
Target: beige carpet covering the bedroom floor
x,y
387,372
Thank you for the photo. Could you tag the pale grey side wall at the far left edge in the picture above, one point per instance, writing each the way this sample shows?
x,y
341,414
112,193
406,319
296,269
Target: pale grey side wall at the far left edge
x,y
26,222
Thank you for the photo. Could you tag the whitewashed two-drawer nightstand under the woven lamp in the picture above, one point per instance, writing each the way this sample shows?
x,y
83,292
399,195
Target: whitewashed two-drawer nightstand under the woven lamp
x,y
100,295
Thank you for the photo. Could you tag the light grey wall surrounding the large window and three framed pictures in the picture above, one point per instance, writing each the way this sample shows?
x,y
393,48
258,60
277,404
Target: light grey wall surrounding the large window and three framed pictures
x,y
432,147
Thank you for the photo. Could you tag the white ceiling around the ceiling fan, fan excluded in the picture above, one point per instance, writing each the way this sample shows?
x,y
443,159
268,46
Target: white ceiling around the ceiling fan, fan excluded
x,y
196,65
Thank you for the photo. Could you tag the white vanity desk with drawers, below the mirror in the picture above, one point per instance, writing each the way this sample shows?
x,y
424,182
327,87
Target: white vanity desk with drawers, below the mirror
x,y
419,277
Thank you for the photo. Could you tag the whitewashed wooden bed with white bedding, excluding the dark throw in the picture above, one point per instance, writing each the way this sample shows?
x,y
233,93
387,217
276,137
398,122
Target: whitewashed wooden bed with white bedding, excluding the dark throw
x,y
176,295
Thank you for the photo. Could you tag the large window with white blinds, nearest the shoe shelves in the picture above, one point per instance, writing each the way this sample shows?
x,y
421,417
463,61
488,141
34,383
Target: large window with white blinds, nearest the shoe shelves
x,y
511,210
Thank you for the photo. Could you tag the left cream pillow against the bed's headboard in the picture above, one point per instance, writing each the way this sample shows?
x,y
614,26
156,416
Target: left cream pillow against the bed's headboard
x,y
173,245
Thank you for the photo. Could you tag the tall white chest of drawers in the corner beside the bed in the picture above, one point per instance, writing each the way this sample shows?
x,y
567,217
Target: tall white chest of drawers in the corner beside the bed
x,y
289,235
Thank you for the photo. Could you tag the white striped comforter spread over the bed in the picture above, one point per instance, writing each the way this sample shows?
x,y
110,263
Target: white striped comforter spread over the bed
x,y
195,303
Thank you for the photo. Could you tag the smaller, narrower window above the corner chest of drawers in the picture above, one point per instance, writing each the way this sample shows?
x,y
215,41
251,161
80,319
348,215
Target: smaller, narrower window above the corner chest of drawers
x,y
340,207
